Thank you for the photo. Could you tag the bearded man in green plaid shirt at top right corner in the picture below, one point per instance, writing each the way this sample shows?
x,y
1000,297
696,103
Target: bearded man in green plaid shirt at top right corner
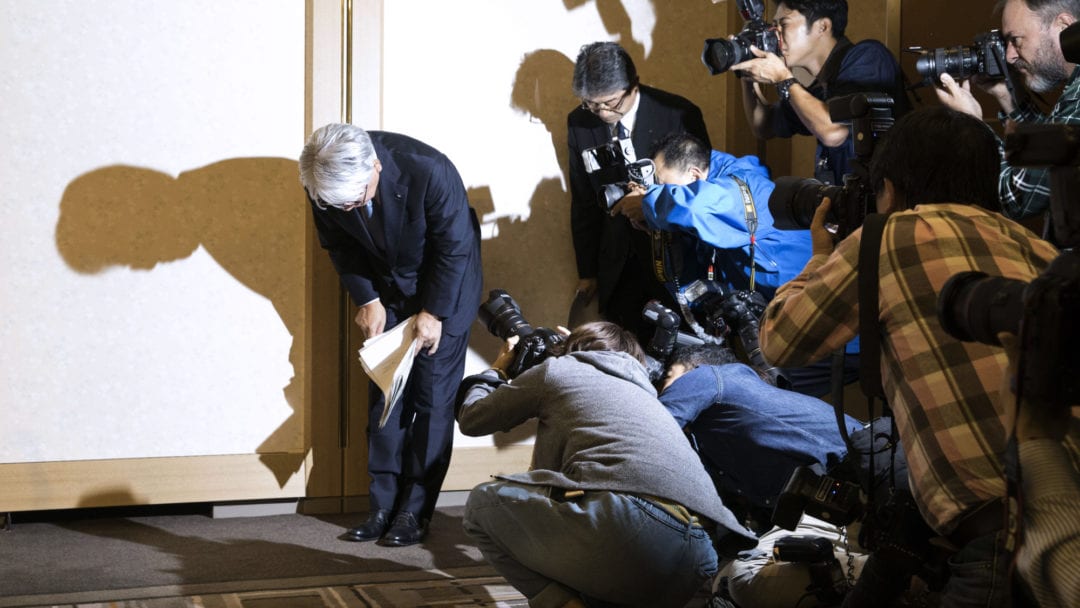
x,y
1032,31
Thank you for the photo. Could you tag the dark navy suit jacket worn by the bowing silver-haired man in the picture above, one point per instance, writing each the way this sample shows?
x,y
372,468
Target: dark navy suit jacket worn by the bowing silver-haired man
x,y
431,235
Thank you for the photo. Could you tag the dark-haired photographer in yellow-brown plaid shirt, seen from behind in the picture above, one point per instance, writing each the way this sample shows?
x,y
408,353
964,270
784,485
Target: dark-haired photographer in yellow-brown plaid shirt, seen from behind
x,y
936,174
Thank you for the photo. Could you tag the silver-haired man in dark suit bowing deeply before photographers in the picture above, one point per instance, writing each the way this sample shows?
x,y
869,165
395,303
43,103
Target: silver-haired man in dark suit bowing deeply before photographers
x,y
393,213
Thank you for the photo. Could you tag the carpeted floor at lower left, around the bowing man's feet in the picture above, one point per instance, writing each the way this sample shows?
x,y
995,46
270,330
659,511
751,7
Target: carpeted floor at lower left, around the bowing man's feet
x,y
84,561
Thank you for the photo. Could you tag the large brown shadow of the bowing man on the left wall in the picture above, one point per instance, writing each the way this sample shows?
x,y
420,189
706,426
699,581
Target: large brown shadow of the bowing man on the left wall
x,y
249,214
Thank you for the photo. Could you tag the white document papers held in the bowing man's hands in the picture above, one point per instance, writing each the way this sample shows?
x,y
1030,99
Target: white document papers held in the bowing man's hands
x,y
388,360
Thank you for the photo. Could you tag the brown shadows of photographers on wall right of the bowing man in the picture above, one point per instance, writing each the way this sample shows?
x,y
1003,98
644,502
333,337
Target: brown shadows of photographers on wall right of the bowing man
x,y
535,260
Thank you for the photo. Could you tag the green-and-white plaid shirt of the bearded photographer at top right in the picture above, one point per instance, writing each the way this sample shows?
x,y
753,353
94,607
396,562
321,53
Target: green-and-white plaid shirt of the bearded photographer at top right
x,y
1025,192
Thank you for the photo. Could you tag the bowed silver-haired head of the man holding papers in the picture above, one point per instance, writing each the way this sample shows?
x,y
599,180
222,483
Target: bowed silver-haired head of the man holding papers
x,y
336,165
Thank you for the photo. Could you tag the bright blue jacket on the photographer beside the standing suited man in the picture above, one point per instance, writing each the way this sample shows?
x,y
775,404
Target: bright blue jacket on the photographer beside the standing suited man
x,y
712,214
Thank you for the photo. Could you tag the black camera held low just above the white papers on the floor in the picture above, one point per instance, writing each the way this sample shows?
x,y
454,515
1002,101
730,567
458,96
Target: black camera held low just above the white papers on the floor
x,y
812,492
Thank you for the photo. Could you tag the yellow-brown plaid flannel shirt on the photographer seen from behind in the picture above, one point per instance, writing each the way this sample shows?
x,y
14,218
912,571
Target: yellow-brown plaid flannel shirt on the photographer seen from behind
x,y
943,393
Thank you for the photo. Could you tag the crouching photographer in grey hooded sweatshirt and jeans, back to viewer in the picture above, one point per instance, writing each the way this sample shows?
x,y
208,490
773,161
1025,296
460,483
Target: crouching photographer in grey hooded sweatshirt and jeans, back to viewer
x,y
599,518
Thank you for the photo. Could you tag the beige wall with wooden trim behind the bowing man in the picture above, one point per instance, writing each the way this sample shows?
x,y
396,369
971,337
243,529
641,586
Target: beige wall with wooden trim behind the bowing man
x,y
169,319
